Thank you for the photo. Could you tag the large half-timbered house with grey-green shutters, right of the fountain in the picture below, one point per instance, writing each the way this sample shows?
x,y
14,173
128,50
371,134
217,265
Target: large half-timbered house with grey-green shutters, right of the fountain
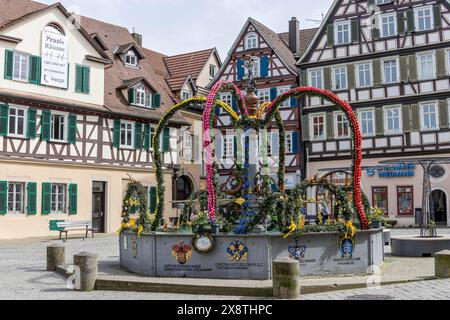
x,y
391,61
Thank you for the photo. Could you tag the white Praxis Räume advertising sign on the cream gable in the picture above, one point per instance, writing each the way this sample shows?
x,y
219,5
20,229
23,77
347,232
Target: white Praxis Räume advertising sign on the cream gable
x,y
55,60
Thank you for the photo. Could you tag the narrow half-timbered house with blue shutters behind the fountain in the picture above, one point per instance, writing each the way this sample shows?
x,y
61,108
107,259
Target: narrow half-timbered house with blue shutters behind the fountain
x,y
274,56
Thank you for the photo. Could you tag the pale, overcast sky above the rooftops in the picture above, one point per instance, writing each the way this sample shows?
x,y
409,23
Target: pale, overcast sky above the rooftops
x,y
178,26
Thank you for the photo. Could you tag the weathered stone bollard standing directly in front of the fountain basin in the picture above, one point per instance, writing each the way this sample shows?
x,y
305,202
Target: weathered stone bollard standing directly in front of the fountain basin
x,y
286,278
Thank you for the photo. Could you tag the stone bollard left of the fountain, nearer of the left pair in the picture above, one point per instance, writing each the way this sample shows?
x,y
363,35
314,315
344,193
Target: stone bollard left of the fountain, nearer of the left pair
x,y
87,262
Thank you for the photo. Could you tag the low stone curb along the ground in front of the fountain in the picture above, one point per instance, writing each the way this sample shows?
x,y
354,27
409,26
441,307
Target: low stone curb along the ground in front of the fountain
x,y
106,284
